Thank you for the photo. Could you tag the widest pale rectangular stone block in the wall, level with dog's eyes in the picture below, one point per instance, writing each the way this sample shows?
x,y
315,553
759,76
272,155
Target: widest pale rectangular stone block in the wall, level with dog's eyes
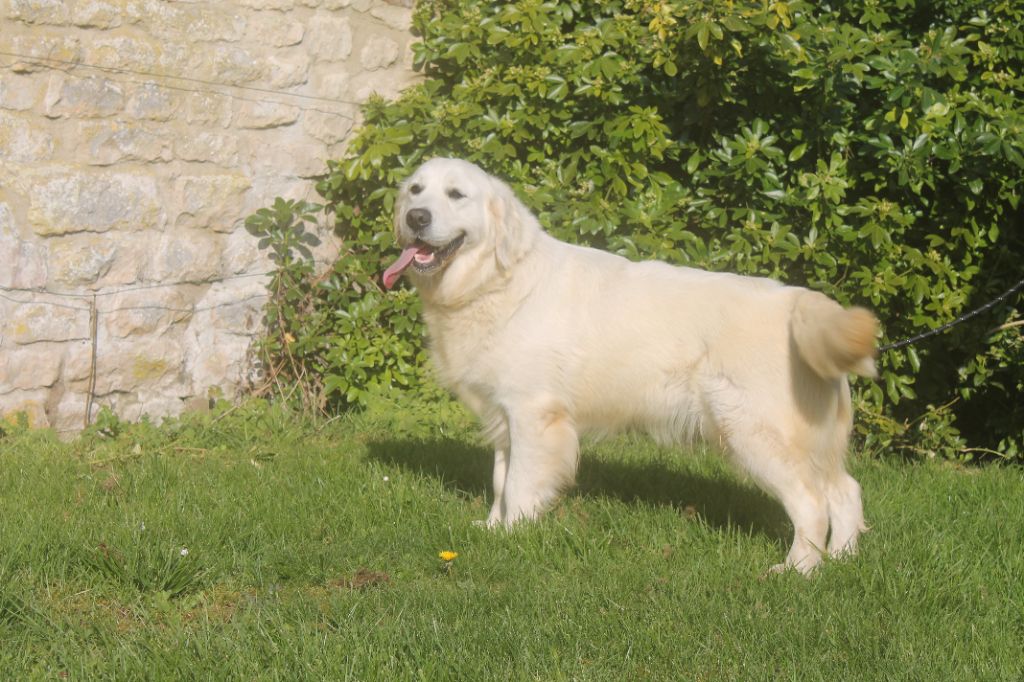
x,y
65,201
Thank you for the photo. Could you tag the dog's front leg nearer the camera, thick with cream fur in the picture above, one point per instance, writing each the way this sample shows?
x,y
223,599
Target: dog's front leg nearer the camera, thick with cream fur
x,y
542,462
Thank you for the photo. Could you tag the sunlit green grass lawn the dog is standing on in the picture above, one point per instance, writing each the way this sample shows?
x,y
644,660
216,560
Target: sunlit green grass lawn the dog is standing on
x,y
313,555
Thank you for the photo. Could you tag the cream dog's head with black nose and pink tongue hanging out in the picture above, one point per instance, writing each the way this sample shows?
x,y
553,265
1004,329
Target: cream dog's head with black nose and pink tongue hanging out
x,y
458,228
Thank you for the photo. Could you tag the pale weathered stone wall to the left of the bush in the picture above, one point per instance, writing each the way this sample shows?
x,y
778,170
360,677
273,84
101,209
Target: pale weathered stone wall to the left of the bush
x,y
136,137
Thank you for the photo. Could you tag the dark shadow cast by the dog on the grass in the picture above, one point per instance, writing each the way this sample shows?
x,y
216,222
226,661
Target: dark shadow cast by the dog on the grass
x,y
718,499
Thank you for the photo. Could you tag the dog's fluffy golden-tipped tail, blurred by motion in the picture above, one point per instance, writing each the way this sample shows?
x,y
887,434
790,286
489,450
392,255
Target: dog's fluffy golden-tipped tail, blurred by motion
x,y
834,340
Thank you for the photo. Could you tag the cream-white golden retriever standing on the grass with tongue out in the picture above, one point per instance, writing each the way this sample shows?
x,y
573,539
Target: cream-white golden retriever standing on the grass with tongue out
x,y
545,342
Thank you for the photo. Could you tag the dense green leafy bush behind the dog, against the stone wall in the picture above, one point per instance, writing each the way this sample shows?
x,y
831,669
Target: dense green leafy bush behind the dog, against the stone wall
x,y
874,153
